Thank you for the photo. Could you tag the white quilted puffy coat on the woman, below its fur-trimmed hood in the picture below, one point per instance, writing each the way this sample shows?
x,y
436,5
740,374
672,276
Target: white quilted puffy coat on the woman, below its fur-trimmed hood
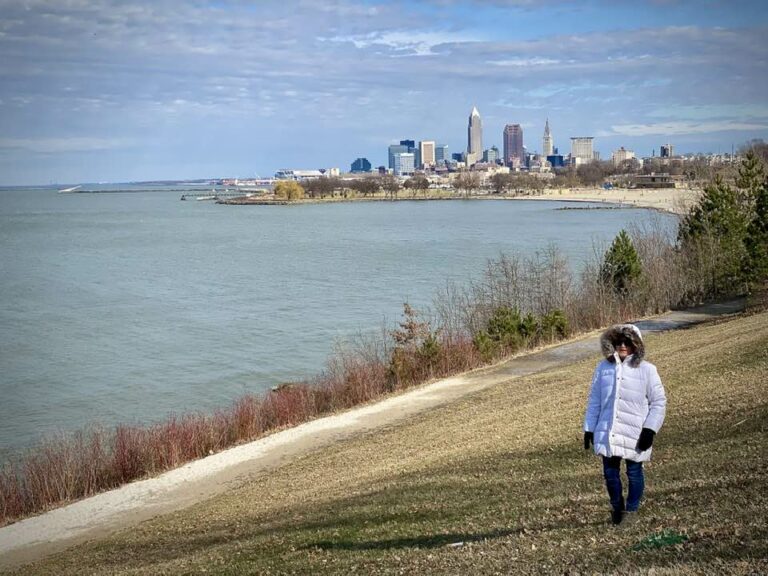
x,y
625,397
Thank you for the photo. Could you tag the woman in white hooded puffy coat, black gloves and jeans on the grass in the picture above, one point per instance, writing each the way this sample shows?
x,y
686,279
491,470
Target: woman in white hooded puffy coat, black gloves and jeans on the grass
x,y
625,410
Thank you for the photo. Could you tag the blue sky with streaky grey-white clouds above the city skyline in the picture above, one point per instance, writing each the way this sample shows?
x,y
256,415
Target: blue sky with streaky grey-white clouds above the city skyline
x,y
114,91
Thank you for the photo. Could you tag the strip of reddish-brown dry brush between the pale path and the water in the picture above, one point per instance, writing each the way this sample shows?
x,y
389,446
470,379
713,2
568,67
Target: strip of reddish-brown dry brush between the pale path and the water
x,y
70,467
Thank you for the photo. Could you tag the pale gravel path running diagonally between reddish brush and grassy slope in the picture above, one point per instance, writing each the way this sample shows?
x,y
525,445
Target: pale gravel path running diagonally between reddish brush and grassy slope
x,y
123,507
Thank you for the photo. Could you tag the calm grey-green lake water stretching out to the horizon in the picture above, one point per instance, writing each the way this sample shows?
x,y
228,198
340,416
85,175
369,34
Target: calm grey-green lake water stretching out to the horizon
x,y
125,307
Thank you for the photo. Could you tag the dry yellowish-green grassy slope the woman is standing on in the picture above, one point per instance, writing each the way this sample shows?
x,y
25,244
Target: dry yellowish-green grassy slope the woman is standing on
x,y
503,472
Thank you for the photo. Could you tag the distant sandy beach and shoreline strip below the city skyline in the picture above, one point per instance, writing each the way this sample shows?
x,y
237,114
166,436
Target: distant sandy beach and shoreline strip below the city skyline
x,y
671,200
